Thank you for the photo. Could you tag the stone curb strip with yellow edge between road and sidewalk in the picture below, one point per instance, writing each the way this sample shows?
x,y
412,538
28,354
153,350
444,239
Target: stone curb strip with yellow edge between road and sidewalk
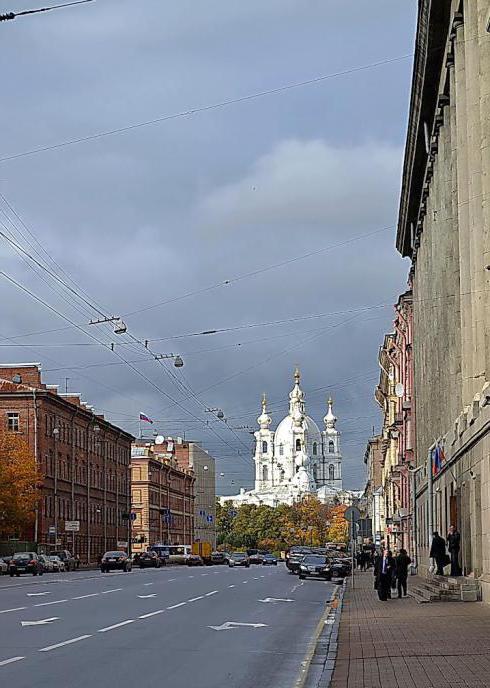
x,y
319,664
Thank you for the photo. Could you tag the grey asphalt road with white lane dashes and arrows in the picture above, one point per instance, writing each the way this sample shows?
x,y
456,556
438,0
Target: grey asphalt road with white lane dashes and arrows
x,y
152,627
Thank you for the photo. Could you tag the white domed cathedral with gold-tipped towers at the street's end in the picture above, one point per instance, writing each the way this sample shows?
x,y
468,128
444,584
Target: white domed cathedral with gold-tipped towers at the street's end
x,y
296,459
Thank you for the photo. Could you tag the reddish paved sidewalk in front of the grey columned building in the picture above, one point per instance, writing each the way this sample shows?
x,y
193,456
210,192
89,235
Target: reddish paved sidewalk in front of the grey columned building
x,y
402,644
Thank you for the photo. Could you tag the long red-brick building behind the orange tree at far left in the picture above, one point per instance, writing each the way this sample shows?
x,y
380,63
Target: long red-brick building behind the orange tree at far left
x,y
84,459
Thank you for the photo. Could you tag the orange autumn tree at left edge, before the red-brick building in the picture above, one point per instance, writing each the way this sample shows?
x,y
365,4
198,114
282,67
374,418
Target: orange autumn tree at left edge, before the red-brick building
x,y
19,484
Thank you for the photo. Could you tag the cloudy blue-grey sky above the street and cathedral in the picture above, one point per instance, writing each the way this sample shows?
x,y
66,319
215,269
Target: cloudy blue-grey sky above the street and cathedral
x,y
272,218
